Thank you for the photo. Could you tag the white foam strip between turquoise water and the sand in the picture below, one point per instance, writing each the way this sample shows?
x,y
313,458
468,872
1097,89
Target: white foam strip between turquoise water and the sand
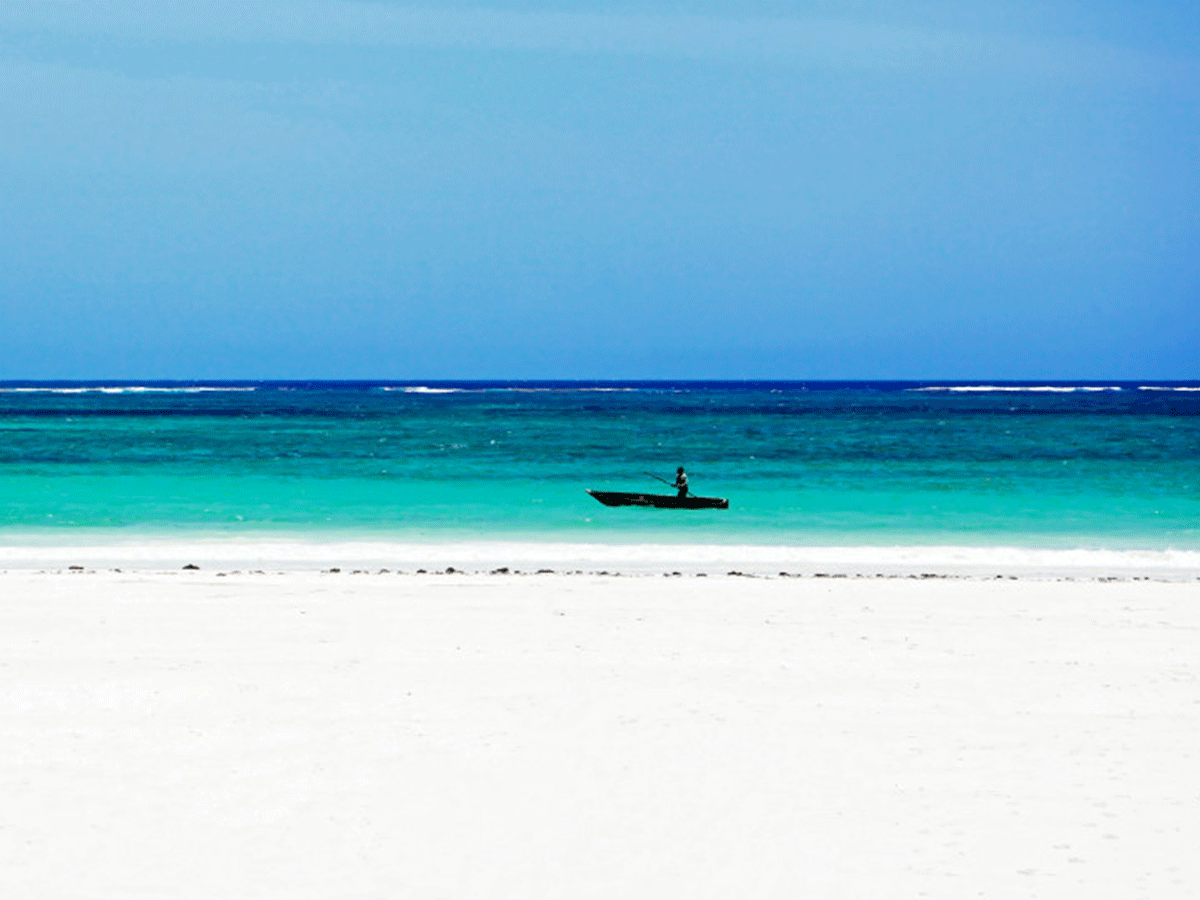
x,y
615,559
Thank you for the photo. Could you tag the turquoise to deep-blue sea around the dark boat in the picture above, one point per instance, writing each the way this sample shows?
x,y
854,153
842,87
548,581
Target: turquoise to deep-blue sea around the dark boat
x,y
801,464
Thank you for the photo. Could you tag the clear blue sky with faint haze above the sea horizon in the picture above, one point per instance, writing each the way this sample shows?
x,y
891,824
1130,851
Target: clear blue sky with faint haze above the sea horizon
x,y
562,190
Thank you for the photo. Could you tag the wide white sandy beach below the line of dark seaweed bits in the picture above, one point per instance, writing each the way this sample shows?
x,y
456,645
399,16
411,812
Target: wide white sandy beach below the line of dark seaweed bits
x,y
176,734
